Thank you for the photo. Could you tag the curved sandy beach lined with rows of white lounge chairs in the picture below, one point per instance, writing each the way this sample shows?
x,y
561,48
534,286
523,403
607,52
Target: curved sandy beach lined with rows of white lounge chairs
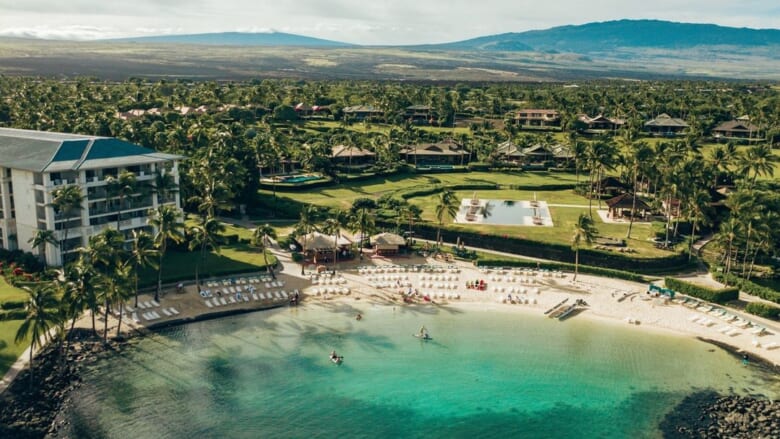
x,y
444,284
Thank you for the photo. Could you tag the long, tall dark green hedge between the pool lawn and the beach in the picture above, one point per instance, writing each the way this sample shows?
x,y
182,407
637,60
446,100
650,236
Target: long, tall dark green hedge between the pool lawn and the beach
x,y
553,251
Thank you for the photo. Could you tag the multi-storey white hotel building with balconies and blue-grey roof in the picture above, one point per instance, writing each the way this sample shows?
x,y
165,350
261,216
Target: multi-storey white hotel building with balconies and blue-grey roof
x,y
36,165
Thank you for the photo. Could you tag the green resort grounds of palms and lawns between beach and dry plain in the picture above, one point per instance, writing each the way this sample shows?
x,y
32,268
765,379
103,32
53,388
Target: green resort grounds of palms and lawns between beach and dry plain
x,y
726,193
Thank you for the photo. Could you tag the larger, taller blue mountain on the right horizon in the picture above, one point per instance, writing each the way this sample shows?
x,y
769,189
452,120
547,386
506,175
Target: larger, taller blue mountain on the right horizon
x,y
621,34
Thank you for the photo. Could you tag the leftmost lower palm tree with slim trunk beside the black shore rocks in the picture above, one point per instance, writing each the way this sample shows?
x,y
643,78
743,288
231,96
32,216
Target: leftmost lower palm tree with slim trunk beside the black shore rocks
x,y
41,315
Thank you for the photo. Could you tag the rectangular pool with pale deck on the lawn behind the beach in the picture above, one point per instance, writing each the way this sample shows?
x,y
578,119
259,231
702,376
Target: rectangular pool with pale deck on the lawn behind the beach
x,y
504,212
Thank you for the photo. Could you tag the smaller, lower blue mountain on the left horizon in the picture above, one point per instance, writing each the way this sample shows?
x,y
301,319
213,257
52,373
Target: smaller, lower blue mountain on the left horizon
x,y
238,39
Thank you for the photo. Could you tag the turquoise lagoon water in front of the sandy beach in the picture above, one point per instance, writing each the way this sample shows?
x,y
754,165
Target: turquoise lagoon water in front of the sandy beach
x,y
484,374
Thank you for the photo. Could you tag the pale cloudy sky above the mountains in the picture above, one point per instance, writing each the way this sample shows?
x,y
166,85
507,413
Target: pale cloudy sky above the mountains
x,y
367,22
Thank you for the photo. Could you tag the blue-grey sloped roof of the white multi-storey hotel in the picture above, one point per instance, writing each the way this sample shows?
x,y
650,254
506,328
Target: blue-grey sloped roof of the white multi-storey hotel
x,y
41,151
